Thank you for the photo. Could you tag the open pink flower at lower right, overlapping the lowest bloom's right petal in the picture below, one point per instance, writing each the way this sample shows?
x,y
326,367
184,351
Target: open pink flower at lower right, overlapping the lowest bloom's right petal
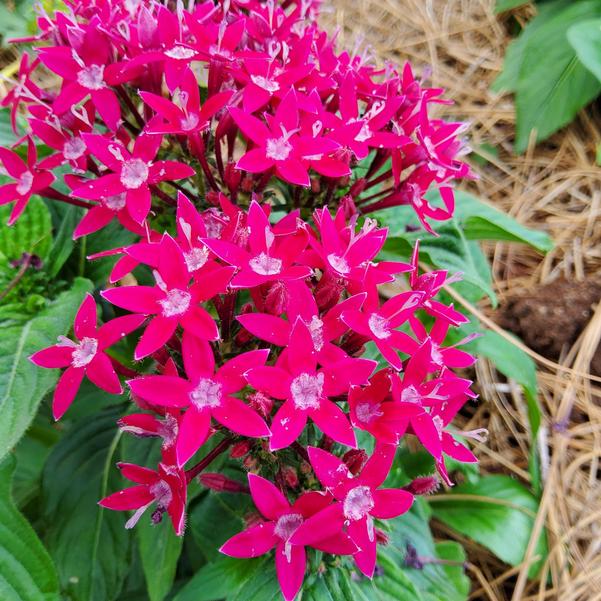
x,y
358,501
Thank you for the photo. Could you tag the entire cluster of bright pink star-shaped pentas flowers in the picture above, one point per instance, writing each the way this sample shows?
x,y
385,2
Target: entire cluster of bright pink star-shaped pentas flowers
x,y
245,154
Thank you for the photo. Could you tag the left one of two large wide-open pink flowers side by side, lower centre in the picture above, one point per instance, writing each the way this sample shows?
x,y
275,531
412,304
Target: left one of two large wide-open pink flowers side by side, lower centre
x,y
206,393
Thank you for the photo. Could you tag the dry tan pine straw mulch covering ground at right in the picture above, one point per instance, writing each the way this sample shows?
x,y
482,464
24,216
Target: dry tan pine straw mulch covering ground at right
x,y
555,187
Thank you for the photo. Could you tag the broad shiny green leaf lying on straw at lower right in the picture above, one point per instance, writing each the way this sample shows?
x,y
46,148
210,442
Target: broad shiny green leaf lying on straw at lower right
x,y
500,516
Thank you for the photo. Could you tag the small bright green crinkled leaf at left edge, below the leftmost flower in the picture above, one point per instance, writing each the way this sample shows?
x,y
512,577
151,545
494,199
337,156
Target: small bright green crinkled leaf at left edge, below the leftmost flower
x,y
32,233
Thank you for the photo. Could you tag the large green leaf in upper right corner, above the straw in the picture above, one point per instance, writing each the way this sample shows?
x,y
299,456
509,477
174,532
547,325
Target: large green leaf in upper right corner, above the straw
x,y
553,85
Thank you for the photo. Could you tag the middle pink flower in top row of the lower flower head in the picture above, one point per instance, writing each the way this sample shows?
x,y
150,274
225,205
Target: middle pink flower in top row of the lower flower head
x,y
270,256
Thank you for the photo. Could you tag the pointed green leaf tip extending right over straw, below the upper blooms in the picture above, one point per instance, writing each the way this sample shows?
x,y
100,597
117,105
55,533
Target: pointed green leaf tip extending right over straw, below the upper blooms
x,y
482,221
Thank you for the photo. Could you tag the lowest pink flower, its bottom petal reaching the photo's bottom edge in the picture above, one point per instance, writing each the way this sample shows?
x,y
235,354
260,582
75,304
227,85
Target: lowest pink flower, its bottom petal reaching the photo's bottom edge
x,y
282,520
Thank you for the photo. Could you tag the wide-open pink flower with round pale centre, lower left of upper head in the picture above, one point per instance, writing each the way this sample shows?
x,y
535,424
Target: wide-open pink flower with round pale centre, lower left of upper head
x,y
132,173
